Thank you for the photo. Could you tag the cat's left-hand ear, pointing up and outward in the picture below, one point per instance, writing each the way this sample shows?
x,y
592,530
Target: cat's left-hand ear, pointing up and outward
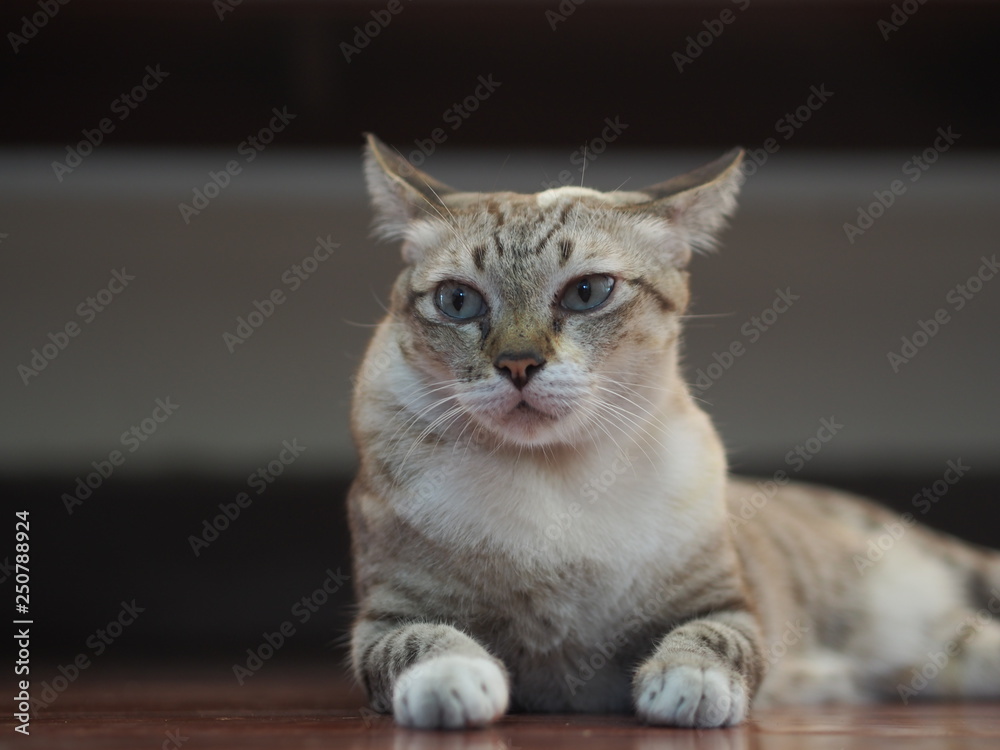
x,y
399,191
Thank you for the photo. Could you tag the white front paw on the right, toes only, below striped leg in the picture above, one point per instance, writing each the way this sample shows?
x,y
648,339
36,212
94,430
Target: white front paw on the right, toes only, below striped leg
x,y
689,696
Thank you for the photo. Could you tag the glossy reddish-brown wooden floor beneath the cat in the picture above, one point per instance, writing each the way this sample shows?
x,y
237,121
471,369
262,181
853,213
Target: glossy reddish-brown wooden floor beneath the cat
x,y
311,707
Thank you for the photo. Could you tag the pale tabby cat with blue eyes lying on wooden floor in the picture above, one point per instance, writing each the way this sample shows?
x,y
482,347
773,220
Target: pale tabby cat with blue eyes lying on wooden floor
x,y
529,356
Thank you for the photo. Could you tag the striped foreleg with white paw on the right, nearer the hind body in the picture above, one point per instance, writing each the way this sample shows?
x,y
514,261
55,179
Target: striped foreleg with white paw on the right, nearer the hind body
x,y
703,673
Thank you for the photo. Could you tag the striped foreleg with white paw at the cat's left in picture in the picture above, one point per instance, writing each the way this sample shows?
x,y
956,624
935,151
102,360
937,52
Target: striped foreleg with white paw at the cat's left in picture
x,y
431,676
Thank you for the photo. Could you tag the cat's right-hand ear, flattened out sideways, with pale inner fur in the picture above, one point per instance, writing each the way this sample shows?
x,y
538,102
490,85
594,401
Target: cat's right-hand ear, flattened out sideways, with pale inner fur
x,y
699,202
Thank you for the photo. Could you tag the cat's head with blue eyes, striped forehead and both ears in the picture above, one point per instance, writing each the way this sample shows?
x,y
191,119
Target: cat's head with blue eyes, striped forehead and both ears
x,y
550,317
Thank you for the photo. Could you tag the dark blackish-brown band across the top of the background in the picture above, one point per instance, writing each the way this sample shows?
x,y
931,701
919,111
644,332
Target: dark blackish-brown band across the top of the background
x,y
605,57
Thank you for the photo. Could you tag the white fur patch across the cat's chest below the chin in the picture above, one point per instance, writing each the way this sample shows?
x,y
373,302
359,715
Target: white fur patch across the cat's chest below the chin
x,y
618,519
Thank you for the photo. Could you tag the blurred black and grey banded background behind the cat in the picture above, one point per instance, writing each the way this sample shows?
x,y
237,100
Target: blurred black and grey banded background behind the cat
x,y
167,165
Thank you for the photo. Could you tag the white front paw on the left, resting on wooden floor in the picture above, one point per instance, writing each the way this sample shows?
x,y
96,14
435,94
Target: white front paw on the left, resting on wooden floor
x,y
450,692
